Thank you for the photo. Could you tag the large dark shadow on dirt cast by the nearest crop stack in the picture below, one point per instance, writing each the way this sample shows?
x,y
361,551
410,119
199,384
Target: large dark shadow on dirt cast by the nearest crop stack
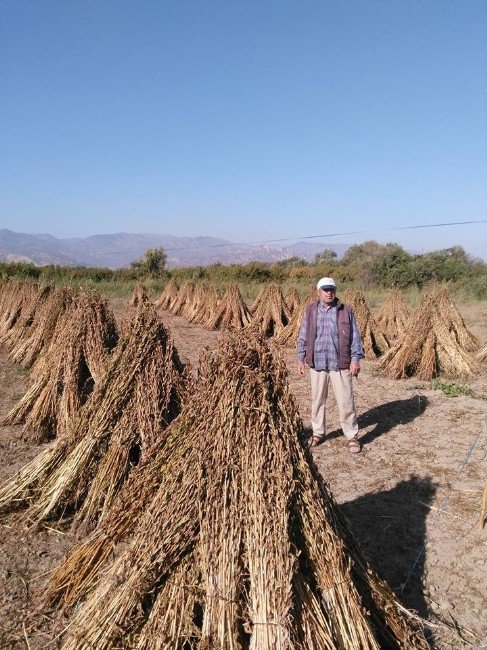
x,y
390,526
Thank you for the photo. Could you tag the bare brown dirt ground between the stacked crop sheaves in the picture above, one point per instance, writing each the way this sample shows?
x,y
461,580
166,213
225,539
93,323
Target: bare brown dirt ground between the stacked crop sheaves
x,y
412,496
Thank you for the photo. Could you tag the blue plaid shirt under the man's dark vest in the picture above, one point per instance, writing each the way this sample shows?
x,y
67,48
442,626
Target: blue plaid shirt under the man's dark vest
x,y
326,342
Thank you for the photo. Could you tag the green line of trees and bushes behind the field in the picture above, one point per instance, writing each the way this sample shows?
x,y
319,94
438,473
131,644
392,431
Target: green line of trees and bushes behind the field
x,y
370,263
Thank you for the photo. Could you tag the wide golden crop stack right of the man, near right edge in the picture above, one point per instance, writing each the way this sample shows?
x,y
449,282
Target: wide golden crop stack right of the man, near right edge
x,y
429,346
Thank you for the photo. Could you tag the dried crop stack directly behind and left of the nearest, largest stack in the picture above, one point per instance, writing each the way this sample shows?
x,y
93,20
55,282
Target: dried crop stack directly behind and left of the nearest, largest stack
x,y
140,392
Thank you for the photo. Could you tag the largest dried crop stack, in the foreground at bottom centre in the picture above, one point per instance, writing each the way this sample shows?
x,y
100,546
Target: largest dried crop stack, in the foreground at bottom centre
x,y
234,541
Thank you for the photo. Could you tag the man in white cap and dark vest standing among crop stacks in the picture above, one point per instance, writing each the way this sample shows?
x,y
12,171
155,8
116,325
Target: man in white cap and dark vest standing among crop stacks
x,y
329,343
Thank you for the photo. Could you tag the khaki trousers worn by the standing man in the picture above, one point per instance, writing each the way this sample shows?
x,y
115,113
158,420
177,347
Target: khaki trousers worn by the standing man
x,y
341,380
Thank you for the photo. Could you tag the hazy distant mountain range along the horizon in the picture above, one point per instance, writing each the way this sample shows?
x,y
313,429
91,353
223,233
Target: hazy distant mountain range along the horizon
x,y
120,249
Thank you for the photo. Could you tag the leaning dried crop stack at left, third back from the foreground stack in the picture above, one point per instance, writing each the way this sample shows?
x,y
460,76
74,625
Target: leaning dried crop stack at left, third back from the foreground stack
x,y
63,378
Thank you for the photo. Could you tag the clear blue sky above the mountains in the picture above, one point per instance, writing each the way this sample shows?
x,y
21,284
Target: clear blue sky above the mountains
x,y
245,119
